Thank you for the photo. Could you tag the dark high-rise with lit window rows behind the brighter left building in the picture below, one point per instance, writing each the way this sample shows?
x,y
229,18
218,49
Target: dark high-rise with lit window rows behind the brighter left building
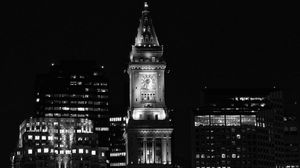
x,y
77,89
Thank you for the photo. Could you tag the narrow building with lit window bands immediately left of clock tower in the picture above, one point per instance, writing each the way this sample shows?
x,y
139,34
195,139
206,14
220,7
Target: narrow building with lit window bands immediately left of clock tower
x,y
117,148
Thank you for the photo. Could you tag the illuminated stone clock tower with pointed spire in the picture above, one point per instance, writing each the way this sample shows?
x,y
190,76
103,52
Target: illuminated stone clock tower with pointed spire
x,y
148,133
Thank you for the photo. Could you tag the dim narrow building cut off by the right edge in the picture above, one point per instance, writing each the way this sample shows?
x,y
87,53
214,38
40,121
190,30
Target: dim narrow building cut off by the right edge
x,y
292,142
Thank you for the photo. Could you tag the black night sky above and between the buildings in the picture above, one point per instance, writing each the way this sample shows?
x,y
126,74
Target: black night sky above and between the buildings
x,y
218,44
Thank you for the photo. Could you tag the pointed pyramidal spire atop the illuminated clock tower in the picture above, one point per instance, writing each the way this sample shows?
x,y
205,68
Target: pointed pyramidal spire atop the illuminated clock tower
x,y
146,33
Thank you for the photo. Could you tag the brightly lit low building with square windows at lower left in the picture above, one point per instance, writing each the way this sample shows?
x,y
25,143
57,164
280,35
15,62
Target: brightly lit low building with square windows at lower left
x,y
58,143
